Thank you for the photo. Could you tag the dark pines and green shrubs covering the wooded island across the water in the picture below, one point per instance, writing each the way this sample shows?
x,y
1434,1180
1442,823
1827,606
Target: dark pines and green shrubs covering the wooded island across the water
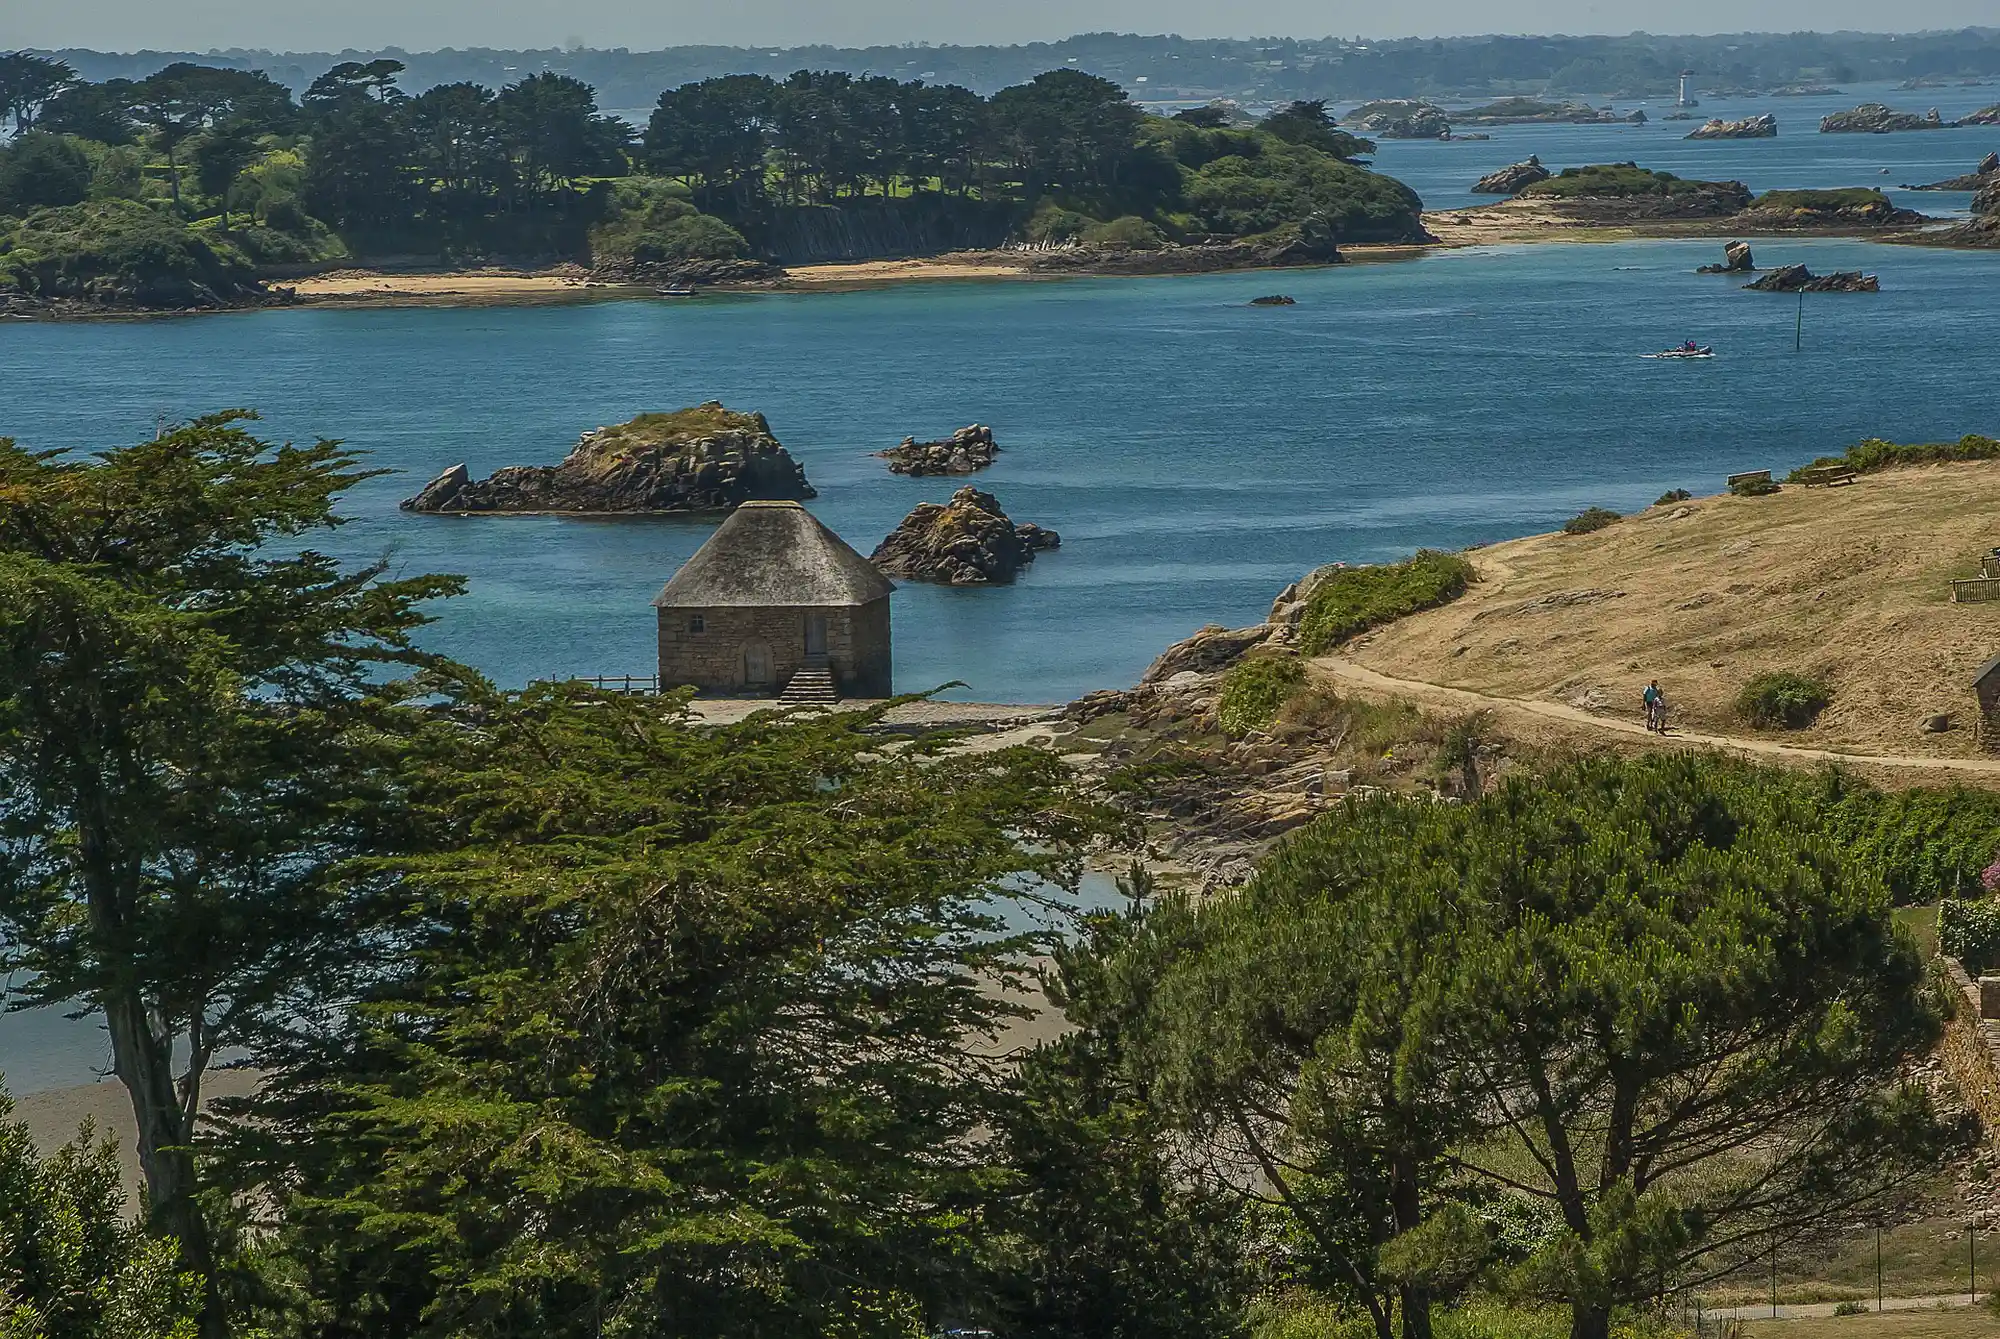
x,y
203,185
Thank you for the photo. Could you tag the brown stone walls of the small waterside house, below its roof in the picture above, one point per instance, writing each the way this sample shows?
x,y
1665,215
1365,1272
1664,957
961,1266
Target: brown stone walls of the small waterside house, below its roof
x,y
715,659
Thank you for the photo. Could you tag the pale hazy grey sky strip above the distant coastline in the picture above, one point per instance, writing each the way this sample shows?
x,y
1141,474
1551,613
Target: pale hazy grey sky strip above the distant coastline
x,y
643,25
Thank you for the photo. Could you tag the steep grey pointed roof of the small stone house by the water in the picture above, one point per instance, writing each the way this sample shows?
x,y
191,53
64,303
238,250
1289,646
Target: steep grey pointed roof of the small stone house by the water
x,y
773,555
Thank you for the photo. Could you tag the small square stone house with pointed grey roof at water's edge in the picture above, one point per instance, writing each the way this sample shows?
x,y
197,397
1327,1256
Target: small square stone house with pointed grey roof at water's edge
x,y
777,605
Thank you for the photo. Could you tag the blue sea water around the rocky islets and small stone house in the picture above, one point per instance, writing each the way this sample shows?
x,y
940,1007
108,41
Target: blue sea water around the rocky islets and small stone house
x,y
1195,453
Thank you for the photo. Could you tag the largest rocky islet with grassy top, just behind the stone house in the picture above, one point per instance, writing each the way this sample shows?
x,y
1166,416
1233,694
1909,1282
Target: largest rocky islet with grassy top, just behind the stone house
x,y
697,461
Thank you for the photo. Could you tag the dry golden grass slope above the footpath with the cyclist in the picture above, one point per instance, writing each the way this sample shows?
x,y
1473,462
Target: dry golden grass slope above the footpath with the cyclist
x,y
1849,585
